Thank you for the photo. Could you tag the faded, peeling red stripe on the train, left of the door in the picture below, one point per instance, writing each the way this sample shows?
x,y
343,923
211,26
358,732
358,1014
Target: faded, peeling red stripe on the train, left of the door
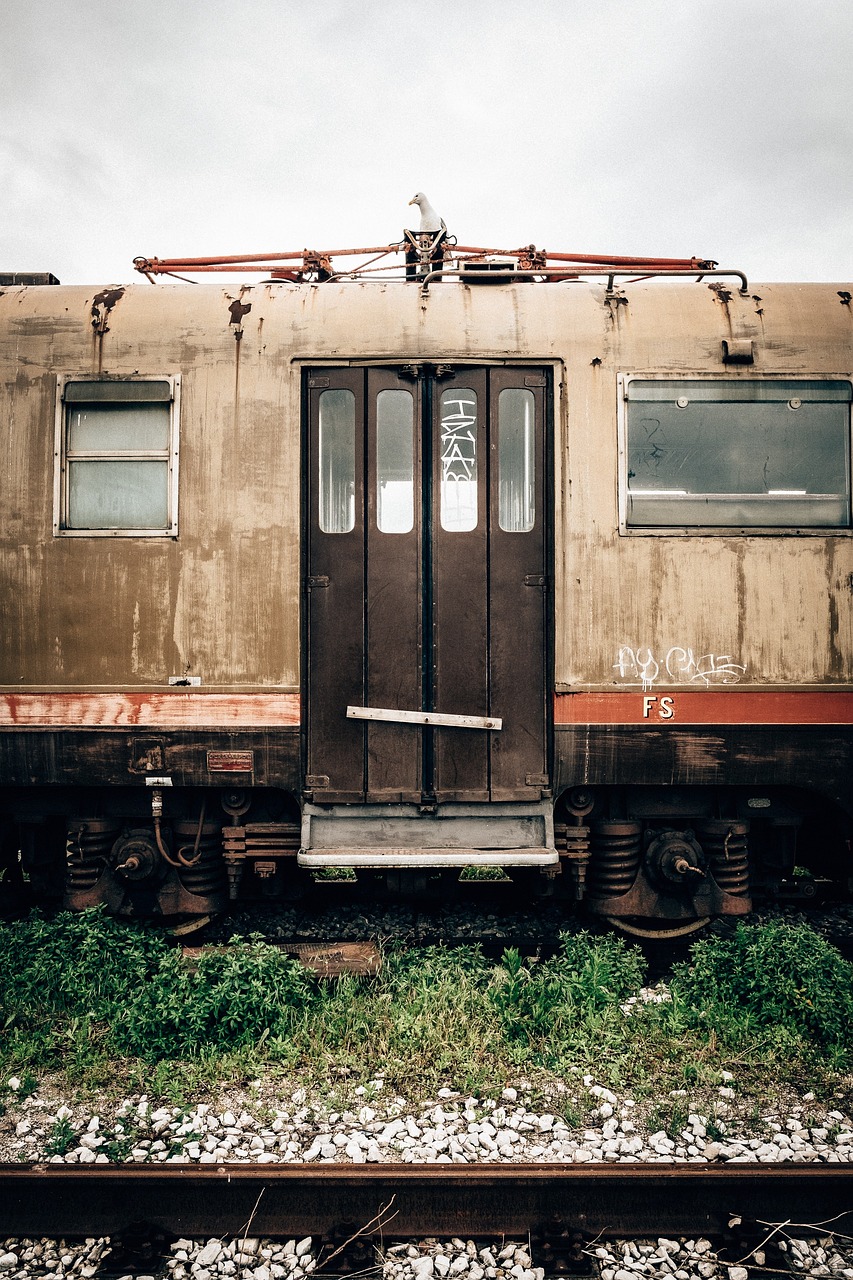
x,y
176,710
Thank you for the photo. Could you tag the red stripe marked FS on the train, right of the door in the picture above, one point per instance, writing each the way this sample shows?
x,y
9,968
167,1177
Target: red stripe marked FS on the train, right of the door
x,y
674,707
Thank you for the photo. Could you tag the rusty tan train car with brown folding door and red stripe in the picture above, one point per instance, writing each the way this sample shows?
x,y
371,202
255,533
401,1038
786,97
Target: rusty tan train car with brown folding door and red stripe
x,y
541,574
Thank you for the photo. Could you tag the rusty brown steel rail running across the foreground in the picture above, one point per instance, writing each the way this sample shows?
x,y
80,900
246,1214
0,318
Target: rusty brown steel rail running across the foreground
x,y
421,1200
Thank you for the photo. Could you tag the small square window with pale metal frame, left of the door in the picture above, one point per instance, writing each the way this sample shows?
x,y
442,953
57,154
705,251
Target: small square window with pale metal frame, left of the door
x,y
117,458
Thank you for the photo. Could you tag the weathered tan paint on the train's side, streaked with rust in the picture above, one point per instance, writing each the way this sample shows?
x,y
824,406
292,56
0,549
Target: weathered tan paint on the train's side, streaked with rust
x,y
222,601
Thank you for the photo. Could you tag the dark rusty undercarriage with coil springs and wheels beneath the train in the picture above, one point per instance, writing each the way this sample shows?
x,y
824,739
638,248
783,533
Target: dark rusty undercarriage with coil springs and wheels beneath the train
x,y
651,862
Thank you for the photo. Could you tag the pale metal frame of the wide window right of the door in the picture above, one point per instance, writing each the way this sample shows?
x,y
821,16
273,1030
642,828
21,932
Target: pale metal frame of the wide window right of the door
x,y
685,380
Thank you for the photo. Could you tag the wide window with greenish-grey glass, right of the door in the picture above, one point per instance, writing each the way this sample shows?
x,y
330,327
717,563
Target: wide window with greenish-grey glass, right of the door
x,y
772,454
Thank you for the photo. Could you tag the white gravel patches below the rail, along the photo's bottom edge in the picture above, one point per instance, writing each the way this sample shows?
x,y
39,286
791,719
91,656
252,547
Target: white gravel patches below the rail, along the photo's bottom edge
x,y
250,1259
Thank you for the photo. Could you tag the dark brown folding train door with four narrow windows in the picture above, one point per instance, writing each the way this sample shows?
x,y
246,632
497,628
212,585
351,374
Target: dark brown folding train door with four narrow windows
x,y
426,602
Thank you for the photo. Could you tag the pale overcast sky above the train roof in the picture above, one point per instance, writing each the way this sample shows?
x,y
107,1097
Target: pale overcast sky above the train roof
x,y
710,129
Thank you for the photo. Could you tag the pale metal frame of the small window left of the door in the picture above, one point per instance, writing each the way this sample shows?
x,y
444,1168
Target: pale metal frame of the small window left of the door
x,y
63,456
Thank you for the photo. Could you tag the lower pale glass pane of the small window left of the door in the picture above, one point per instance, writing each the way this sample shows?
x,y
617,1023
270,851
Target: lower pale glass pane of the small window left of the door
x,y
118,495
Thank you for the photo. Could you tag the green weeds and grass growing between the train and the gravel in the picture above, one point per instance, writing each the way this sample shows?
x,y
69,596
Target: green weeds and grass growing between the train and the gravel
x,y
102,1002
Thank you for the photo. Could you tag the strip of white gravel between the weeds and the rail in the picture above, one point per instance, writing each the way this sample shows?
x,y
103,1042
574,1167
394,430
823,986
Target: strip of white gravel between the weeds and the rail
x,y
377,1127
